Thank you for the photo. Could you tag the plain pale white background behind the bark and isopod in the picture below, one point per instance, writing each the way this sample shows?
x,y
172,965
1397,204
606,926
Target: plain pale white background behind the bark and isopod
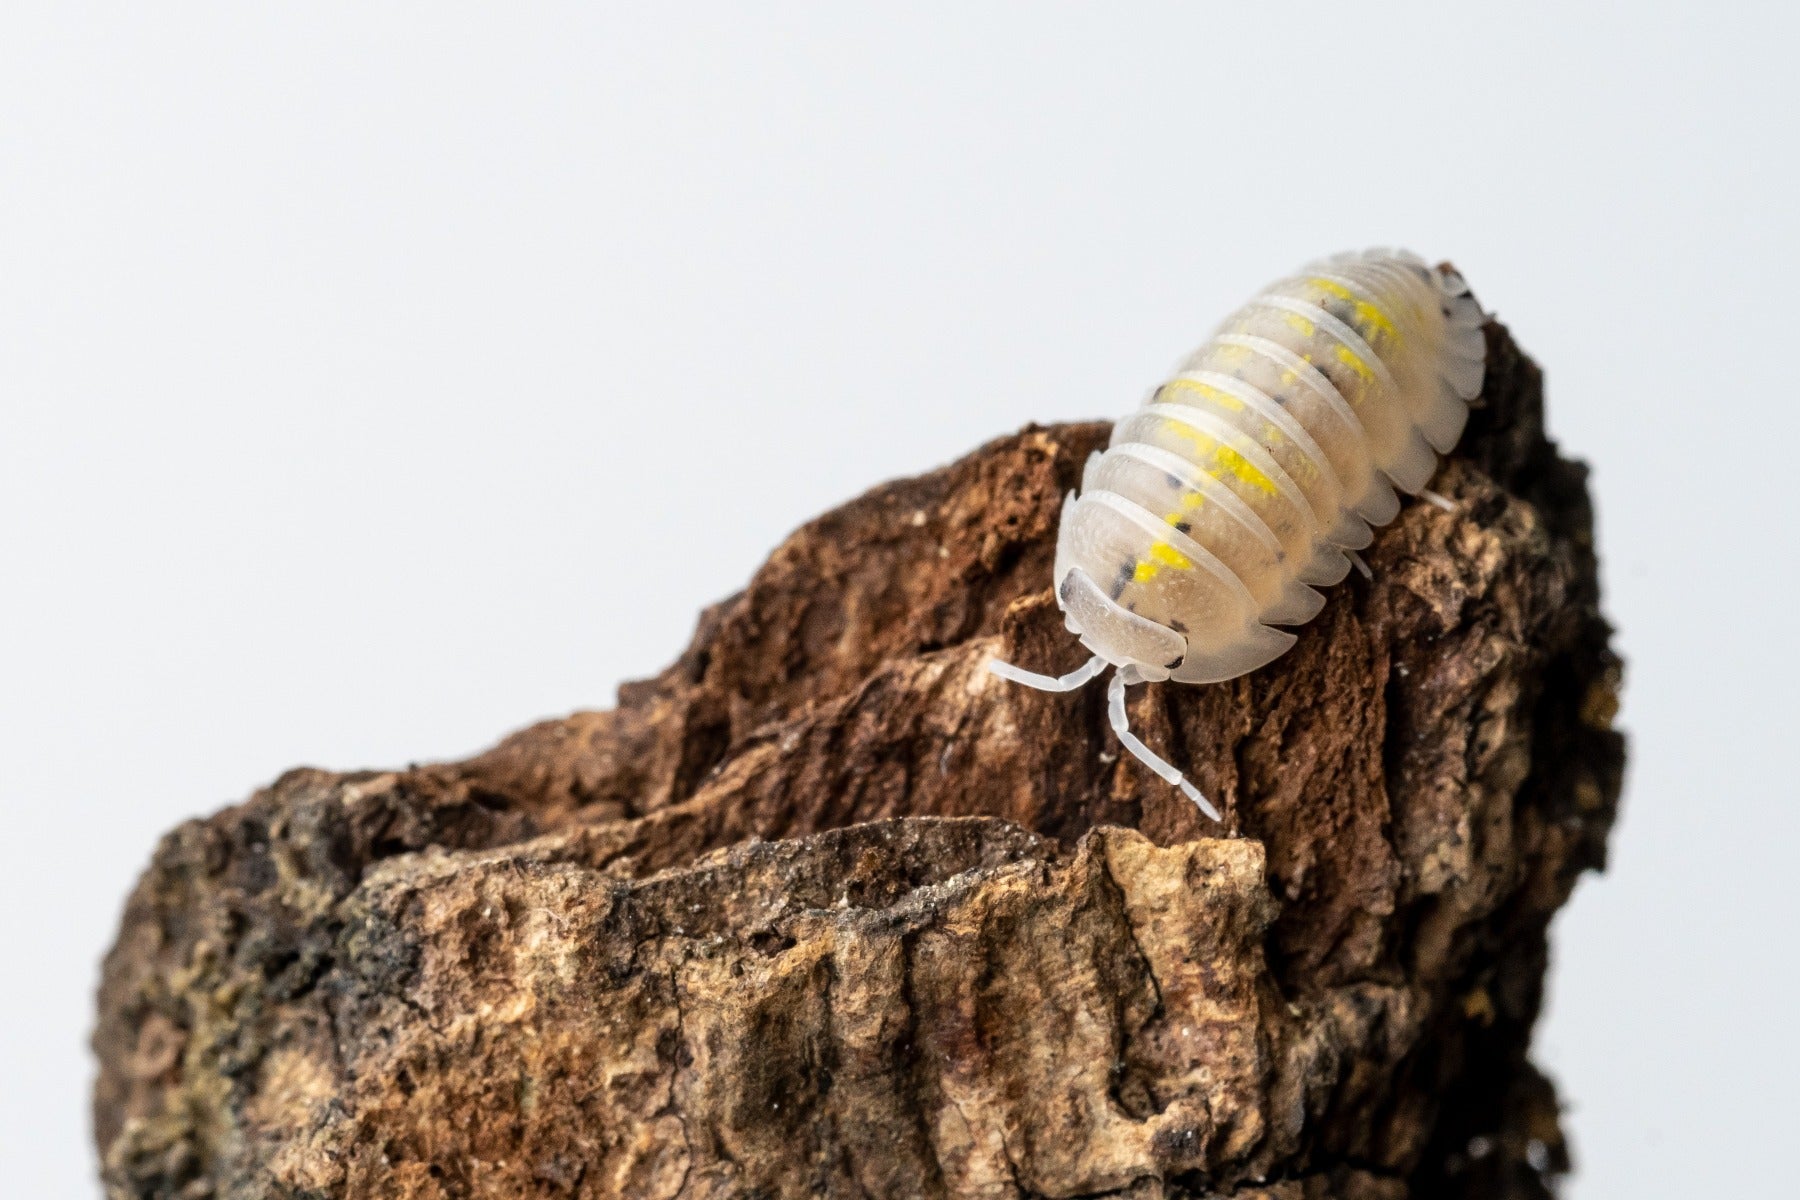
x,y
379,379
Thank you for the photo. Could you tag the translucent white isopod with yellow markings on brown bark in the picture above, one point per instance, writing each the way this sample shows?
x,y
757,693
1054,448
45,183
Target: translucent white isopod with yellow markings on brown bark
x,y
1255,476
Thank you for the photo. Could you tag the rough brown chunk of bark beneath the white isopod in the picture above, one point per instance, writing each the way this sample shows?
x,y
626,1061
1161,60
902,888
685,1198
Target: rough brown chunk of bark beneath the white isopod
x,y
829,911
